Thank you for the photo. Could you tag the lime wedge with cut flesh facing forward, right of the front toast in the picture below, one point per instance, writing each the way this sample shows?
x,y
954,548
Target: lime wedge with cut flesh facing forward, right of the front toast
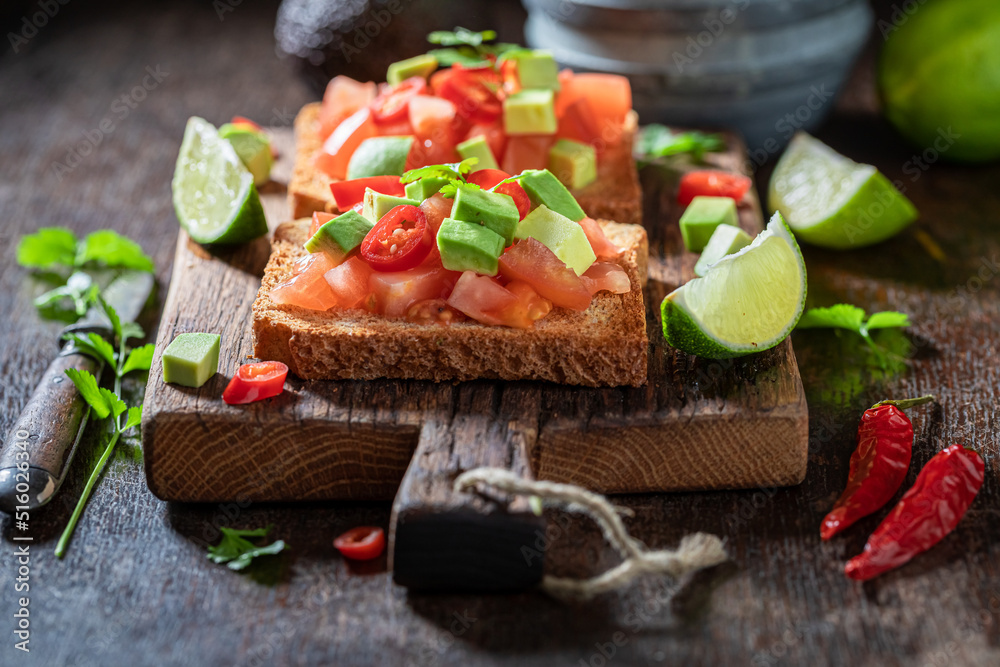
x,y
746,302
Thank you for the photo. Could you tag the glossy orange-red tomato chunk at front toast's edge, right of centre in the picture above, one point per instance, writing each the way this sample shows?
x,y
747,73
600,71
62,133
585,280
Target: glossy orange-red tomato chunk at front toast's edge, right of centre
x,y
485,300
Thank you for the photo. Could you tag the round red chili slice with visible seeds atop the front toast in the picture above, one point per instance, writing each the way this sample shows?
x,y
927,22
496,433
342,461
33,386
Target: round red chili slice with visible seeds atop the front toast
x,y
399,241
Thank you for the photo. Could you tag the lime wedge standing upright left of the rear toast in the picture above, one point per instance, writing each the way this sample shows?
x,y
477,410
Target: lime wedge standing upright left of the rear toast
x,y
214,195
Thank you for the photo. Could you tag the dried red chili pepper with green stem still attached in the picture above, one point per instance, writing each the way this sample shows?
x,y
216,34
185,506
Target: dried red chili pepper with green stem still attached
x,y
878,464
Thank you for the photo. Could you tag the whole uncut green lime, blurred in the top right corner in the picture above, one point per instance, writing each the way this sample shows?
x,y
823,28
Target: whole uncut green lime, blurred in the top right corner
x,y
939,76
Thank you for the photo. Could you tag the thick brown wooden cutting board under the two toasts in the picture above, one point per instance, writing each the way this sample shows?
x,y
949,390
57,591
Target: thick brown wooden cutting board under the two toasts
x,y
697,424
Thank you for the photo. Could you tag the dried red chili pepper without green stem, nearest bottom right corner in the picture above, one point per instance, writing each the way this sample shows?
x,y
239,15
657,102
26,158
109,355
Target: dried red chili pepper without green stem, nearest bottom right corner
x,y
924,515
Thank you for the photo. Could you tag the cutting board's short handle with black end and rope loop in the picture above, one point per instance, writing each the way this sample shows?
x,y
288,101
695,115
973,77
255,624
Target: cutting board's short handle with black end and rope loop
x,y
443,540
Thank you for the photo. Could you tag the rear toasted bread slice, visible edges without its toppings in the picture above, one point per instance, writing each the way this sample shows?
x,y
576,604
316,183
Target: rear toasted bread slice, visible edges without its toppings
x,y
615,195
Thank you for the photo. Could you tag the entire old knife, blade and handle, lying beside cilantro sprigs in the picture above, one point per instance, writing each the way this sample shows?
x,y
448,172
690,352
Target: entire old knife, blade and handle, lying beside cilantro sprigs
x,y
43,440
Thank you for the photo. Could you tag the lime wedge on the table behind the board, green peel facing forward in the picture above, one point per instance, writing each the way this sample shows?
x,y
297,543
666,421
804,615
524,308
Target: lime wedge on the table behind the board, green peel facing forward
x,y
832,201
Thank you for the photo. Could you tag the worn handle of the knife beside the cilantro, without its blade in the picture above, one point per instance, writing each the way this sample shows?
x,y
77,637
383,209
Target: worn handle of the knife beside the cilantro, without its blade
x,y
44,438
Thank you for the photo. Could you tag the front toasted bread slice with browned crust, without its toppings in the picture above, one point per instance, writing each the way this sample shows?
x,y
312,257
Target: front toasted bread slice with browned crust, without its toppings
x,y
605,345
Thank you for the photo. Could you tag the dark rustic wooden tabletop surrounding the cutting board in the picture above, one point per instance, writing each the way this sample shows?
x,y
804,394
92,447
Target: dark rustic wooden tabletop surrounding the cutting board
x,y
136,588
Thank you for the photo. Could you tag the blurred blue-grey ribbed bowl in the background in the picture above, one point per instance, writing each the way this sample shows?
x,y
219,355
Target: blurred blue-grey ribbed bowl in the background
x,y
763,67
